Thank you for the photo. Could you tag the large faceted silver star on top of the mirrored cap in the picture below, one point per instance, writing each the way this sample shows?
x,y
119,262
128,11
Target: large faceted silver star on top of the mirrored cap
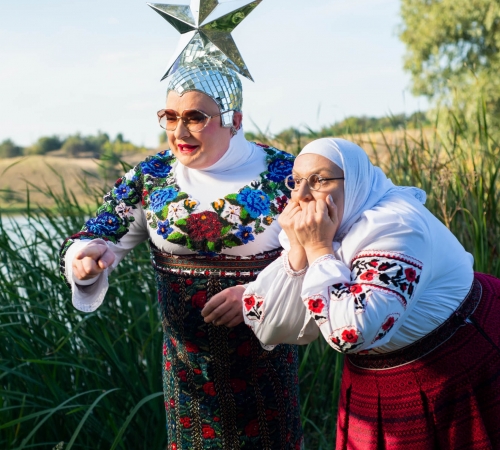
x,y
213,23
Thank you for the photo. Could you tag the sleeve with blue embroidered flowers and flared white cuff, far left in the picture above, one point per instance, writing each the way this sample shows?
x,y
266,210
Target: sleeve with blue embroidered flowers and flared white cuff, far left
x,y
120,224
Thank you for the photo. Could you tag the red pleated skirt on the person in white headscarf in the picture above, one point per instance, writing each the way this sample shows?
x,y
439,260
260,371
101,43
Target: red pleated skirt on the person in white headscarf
x,y
447,399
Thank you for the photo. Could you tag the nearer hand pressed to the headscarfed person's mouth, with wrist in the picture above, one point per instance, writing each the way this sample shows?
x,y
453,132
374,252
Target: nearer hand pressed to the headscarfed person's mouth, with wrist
x,y
315,227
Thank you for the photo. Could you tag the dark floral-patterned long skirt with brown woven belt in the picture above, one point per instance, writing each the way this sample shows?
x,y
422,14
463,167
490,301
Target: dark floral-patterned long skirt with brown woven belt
x,y
222,390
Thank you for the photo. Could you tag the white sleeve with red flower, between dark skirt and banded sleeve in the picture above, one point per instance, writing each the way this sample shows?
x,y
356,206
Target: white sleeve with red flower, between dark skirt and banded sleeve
x,y
273,309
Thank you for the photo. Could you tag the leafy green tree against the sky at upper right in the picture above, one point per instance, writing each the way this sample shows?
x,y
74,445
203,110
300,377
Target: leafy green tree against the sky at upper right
x,y
453,51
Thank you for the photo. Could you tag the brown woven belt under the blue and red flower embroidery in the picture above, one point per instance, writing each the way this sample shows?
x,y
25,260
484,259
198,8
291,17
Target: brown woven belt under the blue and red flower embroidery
x,y
208,266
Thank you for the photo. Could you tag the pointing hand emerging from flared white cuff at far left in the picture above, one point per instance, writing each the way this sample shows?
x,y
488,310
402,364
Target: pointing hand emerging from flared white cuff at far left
x,y
92,260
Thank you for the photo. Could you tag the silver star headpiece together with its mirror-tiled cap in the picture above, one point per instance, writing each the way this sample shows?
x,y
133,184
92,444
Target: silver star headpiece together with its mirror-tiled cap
x,y
207,59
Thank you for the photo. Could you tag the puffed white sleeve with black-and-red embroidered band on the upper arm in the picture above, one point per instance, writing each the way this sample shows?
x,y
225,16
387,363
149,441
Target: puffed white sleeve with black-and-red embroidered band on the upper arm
x,y
359,305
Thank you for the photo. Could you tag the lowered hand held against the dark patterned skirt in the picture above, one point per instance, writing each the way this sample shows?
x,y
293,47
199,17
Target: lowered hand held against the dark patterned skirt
x,y
225,308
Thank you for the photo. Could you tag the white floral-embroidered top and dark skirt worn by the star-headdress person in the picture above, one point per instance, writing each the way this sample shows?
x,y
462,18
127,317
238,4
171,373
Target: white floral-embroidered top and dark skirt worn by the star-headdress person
x,y
222,389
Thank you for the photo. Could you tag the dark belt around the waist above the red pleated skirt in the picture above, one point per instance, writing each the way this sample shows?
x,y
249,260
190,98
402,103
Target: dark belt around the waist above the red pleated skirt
x,y
429,342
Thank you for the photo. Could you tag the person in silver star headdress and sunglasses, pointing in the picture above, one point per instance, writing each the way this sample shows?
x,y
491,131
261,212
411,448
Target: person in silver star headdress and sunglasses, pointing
x,y
209,209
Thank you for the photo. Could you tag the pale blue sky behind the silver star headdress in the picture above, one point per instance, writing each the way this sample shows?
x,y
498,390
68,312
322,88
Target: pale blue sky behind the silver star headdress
x,y
71,66
